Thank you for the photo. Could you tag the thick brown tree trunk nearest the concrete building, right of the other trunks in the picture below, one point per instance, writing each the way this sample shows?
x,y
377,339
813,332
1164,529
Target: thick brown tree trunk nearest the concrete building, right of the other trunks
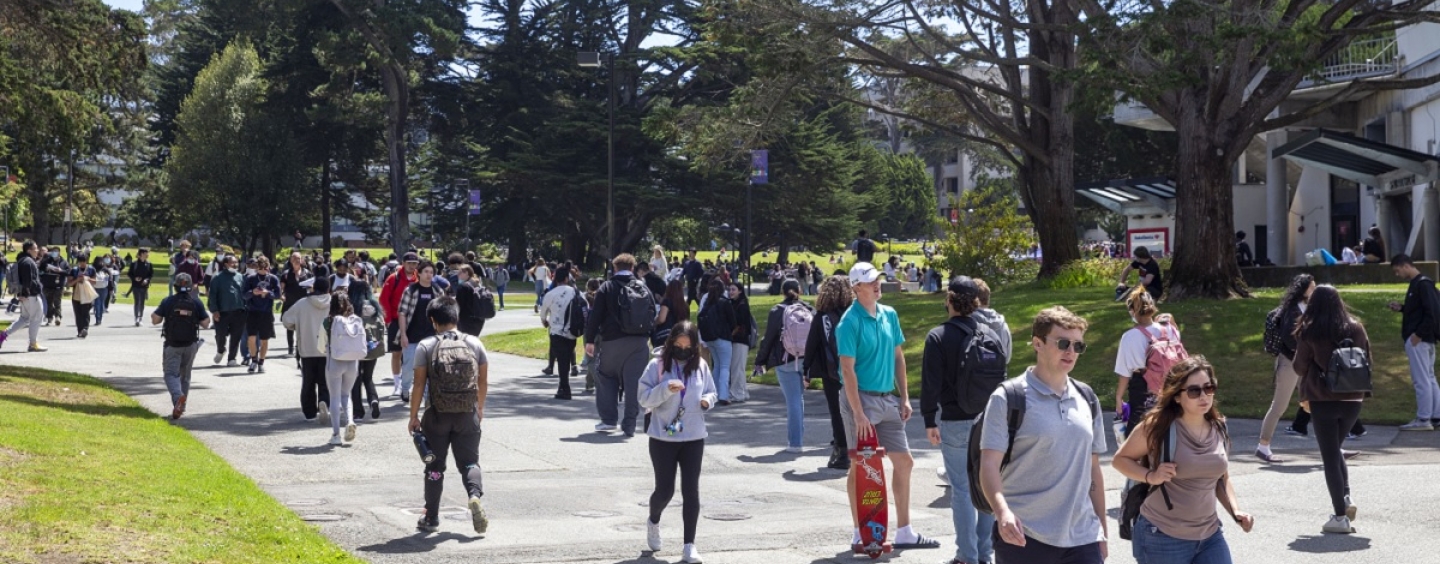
x,y
1205,260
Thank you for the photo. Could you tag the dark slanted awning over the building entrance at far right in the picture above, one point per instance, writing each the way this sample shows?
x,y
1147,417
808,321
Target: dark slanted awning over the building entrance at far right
x,y
1370,163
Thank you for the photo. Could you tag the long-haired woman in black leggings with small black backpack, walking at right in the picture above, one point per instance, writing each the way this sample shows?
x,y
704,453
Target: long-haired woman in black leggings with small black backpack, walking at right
x,y
1326,323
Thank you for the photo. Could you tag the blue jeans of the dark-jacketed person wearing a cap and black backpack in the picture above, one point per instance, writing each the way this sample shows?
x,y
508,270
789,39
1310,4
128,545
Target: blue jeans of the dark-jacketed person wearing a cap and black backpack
x,y
973,529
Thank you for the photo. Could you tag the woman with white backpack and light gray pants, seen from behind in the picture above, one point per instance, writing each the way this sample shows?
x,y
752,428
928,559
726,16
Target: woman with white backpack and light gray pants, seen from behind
x,y
346,340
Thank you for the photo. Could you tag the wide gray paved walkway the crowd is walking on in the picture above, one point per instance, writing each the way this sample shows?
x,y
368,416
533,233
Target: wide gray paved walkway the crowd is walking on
x,y
559,493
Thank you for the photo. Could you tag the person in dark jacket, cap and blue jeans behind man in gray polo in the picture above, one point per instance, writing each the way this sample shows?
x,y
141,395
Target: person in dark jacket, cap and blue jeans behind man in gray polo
x,y
954,391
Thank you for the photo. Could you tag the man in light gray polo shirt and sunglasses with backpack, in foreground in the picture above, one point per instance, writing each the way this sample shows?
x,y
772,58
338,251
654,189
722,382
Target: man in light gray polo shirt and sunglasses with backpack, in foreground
x,y
1050,500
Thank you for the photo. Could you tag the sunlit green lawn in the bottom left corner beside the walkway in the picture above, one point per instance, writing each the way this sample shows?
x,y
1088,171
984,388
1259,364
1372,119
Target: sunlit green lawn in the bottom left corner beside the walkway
x,y
87,476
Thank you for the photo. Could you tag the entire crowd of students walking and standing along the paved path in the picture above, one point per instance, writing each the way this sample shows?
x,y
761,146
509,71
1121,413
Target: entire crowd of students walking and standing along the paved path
x,y
1022,452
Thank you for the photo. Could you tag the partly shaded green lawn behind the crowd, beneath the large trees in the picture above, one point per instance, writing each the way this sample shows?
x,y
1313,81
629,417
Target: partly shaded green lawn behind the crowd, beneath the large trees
x,y
1229,335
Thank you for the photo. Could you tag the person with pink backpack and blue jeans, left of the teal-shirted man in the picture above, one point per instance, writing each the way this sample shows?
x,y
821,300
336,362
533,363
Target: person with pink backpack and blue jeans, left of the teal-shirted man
x,y
783,340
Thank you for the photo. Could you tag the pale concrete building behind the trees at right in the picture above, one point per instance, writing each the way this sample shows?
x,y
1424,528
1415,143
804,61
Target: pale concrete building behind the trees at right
x,y
1323,185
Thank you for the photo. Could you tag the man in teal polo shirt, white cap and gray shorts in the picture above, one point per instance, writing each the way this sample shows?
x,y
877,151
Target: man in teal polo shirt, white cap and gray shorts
x,y
878,401
